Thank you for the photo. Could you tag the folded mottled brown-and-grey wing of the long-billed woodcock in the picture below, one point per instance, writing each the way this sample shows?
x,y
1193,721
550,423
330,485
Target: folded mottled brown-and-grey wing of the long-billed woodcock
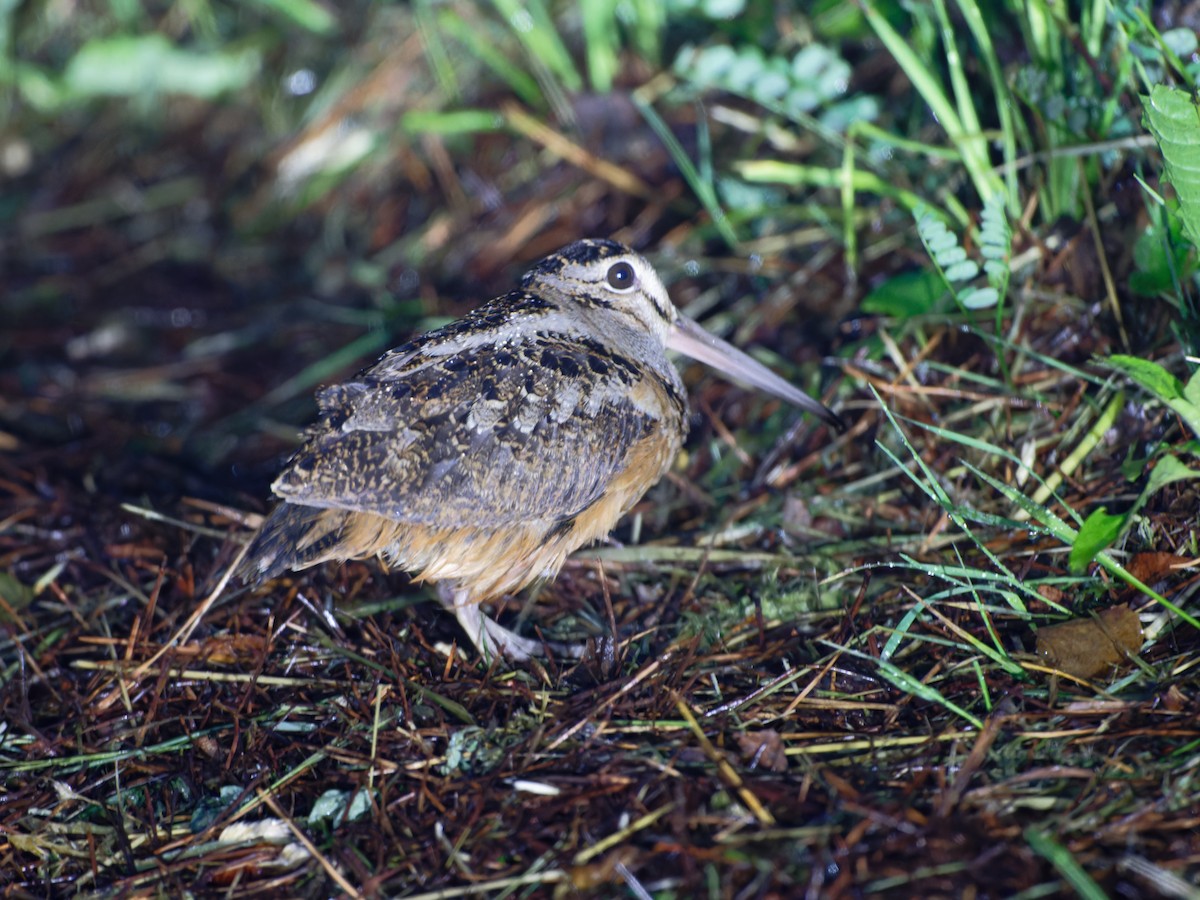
x,y
494,435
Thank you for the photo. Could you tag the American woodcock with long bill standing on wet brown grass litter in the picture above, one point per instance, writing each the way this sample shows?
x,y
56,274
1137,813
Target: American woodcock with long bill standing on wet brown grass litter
x,y
481,455
